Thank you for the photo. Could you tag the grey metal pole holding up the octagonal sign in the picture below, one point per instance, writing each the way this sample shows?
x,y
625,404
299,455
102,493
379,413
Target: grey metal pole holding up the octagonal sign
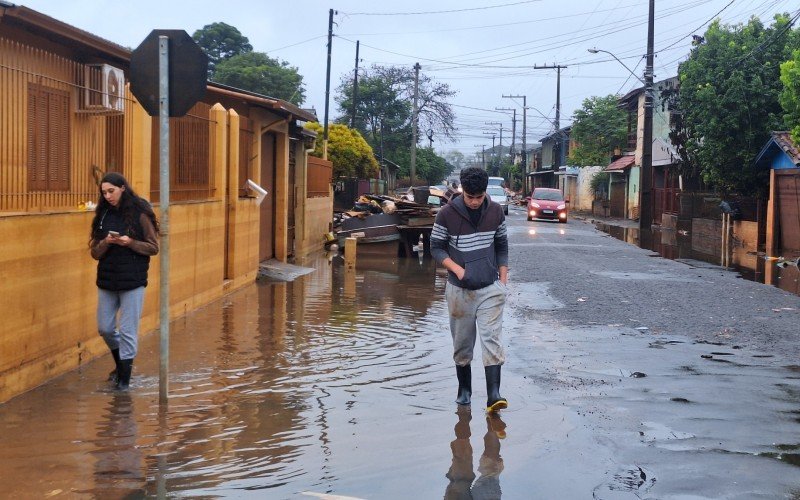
x,y
163,198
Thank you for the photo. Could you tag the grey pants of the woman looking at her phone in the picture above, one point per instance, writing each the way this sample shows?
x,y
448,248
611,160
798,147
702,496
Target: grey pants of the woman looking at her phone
x,y
120,333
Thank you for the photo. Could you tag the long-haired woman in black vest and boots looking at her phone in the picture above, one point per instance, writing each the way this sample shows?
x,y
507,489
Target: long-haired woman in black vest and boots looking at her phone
x,y
124,235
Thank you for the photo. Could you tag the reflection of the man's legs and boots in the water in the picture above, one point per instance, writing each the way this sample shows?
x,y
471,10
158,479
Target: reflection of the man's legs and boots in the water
x,y
463,485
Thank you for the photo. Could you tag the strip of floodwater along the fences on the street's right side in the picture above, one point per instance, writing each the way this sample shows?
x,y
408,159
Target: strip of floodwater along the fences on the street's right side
x,y
696,249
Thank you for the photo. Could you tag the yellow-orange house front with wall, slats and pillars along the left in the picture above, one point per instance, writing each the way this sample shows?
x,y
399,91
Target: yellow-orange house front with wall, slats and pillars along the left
x,y
49,293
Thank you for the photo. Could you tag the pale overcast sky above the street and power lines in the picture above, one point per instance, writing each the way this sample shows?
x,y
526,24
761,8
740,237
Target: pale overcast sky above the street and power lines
x,y
482,49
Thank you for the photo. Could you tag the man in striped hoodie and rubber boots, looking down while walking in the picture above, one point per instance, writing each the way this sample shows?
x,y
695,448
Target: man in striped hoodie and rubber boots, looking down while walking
x,y
469,239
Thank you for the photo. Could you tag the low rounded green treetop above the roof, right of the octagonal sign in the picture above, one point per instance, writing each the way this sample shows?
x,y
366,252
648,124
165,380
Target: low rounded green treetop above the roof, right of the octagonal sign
x,y
257,72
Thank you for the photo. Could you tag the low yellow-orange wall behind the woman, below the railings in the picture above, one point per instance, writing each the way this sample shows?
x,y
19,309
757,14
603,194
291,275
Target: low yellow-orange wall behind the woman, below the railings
x,y
49,292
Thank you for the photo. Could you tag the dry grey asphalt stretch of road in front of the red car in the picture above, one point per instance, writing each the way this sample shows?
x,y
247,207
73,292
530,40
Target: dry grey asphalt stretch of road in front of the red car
x,y
599,280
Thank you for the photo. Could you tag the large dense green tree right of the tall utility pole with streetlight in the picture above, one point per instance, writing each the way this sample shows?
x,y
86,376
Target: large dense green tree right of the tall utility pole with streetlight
x,y
729,103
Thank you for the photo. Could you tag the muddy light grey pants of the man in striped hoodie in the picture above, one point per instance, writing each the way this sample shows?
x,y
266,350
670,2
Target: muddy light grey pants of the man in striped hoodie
x,y
477,313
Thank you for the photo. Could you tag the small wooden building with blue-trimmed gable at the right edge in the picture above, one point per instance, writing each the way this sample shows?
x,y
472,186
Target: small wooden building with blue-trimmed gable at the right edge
x,y
782,156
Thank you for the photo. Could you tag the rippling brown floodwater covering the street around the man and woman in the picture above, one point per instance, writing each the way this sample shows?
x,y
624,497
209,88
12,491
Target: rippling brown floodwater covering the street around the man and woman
x,y
342,383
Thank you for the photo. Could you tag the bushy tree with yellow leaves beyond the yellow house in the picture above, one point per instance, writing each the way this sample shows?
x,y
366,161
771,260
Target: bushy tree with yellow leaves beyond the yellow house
x,y
347,150
